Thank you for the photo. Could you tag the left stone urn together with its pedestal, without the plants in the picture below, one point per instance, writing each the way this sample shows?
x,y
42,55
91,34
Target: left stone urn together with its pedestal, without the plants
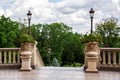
x,y
26,55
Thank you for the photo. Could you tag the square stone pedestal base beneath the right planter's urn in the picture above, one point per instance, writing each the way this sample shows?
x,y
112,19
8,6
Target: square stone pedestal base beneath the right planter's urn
x,y
91,64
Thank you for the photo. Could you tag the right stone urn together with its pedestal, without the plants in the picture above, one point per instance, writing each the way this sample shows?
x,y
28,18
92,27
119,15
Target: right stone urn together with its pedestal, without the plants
x,y
91,56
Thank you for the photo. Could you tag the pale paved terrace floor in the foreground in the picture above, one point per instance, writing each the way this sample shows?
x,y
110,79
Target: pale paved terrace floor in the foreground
x,y
57,73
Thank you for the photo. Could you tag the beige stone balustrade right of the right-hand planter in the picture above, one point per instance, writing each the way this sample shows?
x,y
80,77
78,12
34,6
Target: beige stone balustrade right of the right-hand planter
x,y
110,57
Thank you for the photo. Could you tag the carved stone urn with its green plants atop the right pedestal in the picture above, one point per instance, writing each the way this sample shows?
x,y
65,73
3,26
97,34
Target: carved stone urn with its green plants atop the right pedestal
x,y
91,42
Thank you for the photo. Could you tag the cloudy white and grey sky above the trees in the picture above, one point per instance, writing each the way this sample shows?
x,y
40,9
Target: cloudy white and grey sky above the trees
x,y
74,13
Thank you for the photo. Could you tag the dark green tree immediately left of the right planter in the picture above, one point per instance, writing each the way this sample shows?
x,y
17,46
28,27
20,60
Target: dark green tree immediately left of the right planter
x,y
73,49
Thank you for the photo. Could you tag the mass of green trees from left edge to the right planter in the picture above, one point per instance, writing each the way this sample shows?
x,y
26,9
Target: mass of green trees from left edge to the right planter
x,y
65,45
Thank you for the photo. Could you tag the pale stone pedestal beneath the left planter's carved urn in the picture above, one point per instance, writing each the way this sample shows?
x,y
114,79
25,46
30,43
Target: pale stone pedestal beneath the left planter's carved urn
x,y
26,61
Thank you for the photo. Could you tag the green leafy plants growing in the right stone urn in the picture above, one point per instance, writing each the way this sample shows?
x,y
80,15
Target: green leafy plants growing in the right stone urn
x,y
92,38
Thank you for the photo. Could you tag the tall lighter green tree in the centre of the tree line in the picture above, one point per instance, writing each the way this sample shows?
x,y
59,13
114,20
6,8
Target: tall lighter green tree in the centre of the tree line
x,y
56,37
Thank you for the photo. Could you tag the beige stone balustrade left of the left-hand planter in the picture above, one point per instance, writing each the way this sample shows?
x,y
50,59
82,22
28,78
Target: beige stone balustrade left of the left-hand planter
x,y
10,55
